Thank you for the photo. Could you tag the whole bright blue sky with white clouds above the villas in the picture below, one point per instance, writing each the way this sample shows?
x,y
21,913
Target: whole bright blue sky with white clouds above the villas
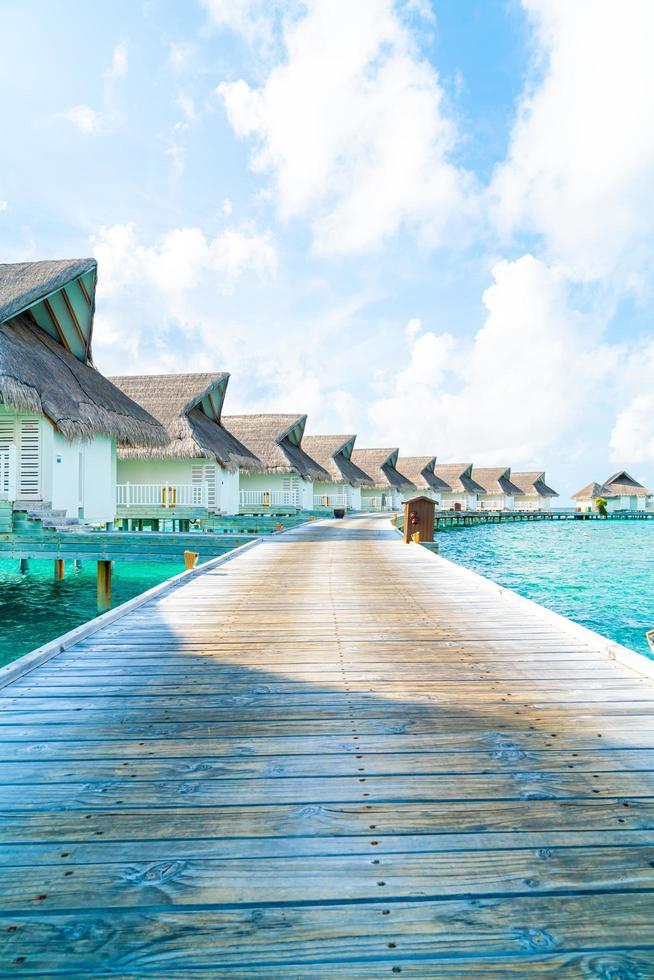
x,y
428,223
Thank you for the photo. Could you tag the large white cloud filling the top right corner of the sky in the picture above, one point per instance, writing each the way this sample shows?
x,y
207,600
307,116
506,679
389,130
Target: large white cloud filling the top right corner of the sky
x,y
581,162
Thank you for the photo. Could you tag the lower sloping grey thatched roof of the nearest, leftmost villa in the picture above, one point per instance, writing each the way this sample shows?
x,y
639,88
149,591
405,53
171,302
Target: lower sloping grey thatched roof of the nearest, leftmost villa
x,y
38,375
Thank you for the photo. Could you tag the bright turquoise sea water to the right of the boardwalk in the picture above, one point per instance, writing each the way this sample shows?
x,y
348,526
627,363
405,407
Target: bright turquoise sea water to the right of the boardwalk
x,y
600,574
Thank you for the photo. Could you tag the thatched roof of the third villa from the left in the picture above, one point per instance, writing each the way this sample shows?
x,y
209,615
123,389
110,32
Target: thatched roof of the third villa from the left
x,y
277,442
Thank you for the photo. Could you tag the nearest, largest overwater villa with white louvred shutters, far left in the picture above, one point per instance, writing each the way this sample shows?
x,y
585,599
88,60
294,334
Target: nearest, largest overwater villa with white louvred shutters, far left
x,y
60,419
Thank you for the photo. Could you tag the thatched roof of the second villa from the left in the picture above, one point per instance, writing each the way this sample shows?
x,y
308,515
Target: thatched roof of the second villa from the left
x,y
190,407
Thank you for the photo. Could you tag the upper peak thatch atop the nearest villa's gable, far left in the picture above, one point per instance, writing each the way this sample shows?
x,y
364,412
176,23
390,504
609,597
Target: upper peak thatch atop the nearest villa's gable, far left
x,y
22,284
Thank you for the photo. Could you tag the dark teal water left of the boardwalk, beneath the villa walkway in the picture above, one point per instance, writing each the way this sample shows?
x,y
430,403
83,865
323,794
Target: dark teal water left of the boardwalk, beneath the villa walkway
x,y
35,609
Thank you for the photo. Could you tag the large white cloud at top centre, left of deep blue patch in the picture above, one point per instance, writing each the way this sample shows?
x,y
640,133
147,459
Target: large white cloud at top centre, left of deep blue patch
x,y
352,128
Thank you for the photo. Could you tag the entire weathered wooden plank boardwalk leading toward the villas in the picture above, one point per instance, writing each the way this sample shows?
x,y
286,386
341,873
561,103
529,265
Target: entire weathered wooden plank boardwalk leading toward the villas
x,y
336,756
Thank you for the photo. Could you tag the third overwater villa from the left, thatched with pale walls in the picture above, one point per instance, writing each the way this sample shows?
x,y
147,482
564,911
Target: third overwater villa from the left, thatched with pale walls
x,y
285,484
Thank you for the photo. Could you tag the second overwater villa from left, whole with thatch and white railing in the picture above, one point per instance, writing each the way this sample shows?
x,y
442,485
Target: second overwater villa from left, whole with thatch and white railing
x,y
197,472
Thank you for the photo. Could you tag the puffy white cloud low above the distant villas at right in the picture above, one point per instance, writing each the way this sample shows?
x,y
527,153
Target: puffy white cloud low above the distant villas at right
x,y
512,393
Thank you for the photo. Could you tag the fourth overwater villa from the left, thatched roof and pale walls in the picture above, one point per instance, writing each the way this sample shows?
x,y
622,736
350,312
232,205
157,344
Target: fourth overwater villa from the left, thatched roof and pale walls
x,y
334,454
